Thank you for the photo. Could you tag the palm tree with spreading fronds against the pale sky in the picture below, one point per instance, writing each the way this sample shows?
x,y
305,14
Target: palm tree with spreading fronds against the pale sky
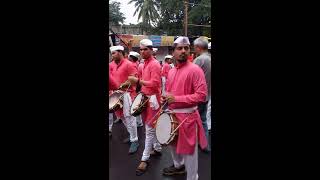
x,y
147,11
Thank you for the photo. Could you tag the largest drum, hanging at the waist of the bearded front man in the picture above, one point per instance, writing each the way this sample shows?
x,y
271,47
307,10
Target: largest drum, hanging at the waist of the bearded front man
x,y
165,126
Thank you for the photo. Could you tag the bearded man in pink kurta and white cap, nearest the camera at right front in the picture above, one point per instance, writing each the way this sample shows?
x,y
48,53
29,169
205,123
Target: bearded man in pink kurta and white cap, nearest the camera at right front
x,y
186,87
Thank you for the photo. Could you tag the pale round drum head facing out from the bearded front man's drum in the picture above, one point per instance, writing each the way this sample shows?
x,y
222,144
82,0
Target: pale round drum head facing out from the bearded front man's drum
x,y
163,128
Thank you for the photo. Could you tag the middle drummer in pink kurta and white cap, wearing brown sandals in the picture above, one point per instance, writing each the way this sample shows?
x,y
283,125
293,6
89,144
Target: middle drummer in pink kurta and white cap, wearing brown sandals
x,y
150,80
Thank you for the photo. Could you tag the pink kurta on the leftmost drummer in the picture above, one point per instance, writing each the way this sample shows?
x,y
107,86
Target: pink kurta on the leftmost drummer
x,y
120,73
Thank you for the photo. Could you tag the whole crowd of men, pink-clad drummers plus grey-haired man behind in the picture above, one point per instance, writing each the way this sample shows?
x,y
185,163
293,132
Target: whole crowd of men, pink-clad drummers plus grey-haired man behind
x,y
181,82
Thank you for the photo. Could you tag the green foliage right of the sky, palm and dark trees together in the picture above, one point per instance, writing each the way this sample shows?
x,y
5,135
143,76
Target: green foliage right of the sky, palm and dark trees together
x,y
167,16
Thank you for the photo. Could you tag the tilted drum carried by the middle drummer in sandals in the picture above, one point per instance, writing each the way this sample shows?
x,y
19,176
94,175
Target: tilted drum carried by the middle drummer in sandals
x,y
139,104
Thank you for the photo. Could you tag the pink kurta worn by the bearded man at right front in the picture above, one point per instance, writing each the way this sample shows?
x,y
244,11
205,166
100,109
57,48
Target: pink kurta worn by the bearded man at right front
x,y
188,85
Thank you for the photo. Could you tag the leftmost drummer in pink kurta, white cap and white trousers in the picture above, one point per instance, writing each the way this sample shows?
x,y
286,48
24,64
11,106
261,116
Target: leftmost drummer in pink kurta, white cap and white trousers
x,y
120,69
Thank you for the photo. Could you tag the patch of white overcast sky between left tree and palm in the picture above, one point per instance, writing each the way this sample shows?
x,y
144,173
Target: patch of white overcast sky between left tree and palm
x,y
128,11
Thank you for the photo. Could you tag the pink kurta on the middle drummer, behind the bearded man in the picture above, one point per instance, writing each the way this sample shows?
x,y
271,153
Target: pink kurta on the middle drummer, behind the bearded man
x,y
151,74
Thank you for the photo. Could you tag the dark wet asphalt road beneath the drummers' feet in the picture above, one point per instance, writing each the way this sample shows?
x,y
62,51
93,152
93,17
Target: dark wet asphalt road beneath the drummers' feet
x,y
122,166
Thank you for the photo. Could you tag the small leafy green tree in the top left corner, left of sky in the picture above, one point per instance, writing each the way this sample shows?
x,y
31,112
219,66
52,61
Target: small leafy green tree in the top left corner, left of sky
x,y
115,16
